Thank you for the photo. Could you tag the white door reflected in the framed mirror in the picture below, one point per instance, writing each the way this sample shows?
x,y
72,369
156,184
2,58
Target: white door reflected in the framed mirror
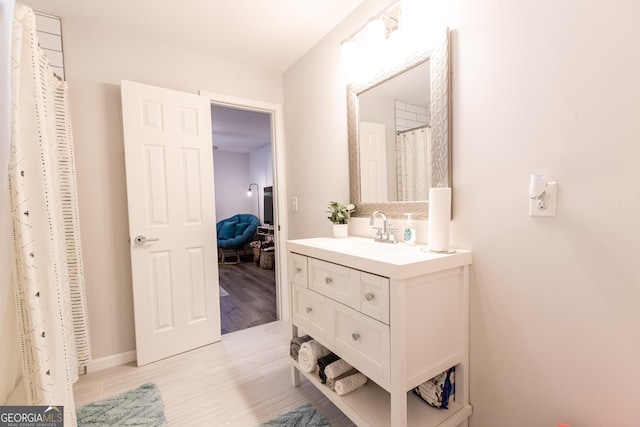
x,y
373,162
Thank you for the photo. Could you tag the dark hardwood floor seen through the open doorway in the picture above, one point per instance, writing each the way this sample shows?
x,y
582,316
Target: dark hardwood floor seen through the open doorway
x,y
251,299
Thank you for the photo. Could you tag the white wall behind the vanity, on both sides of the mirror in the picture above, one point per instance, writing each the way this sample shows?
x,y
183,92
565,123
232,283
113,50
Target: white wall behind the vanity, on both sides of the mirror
x,y
537,87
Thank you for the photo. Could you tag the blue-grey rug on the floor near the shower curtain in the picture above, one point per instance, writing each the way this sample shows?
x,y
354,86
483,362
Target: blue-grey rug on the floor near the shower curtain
x,y
142,407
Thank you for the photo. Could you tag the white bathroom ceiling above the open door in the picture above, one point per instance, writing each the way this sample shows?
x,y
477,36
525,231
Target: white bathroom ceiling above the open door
x,y
269,35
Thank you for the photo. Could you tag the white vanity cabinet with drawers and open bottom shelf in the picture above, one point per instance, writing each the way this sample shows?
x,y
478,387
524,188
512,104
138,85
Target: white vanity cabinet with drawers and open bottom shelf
x,y
397,314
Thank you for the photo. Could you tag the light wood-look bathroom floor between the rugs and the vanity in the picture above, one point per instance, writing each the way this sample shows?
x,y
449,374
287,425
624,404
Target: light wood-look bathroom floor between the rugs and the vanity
x,y
243,380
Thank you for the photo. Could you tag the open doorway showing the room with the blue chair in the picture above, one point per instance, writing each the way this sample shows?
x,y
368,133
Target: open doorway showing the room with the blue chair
x,y
243,177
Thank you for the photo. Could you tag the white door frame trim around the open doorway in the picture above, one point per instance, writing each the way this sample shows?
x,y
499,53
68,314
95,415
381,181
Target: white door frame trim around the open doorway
x,y
280,194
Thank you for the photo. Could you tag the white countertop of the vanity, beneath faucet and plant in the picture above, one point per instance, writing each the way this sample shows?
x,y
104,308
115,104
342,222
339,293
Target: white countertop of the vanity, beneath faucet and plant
x,y
397,261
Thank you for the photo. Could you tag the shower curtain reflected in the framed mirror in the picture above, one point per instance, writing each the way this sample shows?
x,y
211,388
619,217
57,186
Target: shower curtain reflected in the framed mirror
x,y
415,157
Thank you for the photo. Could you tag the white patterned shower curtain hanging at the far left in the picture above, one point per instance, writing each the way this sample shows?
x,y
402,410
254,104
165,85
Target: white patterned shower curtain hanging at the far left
x,y
47,274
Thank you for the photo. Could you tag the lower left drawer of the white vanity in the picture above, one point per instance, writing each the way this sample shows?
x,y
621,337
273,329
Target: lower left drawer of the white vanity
x,y
313,313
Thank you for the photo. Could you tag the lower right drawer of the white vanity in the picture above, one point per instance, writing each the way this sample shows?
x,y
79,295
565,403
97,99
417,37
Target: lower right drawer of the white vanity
x,y
363,342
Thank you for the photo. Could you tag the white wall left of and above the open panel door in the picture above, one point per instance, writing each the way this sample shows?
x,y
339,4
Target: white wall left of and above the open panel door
x,y
96,61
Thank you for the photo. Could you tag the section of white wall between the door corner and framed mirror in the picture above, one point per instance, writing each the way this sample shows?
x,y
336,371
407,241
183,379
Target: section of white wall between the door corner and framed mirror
x,y
315,114
